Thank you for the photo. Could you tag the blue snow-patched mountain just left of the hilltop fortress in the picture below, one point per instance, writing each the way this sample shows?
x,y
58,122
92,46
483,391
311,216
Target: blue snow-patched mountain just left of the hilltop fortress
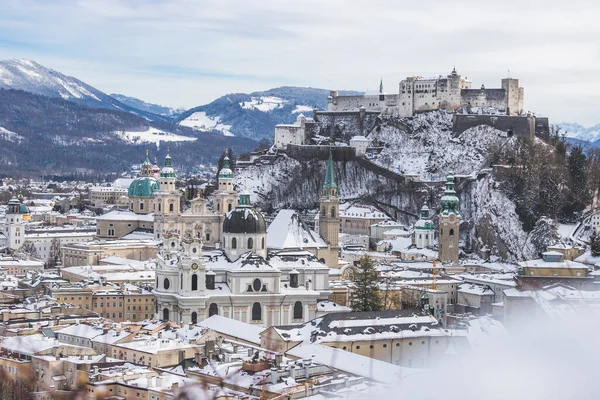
x,y
254,115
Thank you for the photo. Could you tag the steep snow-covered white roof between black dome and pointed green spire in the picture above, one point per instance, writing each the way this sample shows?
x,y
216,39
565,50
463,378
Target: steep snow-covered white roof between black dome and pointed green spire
x,y
287,231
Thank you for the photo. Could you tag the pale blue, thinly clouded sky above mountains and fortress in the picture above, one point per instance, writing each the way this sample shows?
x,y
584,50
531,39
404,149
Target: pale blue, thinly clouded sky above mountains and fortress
x,y
184,53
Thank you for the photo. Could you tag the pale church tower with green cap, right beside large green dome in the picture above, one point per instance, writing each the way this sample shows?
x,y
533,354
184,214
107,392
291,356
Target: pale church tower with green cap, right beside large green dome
x,y
167,200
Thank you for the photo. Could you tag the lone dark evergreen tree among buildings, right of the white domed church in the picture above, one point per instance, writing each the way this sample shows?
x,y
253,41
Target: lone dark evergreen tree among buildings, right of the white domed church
x,y
365,295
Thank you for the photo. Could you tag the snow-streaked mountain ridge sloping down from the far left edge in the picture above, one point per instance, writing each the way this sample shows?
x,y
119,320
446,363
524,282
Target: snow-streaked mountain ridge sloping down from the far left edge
x,y
32,77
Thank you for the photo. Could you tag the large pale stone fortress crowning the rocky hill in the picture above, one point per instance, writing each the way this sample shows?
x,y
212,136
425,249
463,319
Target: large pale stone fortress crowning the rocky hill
x,y
418,94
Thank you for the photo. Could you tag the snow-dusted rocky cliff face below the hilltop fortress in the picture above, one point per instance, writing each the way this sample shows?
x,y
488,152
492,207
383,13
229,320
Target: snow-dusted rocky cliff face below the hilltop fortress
x,y
488,216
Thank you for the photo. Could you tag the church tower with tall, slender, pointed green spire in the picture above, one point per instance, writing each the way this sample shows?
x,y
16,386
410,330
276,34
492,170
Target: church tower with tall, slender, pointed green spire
x,y
329,221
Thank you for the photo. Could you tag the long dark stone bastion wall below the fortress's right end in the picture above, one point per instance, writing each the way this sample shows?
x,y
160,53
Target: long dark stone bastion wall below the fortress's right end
x,y
512,125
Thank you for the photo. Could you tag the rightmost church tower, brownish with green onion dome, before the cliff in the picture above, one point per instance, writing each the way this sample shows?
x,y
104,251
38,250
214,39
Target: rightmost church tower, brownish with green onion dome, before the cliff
x,y
449,221
